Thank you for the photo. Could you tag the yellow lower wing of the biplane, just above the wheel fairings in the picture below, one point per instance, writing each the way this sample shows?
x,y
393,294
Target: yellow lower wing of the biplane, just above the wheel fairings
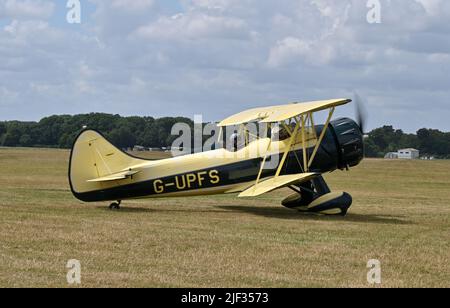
x,y
277,183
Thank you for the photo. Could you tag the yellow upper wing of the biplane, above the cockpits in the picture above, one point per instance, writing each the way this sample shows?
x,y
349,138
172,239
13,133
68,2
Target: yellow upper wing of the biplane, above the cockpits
x,y
280,113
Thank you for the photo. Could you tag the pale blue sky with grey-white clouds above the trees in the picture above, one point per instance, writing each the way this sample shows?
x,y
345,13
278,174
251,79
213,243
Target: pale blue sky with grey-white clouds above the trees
x,y
219,57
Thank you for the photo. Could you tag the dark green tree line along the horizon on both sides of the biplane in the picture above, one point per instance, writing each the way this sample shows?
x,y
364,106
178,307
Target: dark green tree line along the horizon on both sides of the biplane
x,y
126,132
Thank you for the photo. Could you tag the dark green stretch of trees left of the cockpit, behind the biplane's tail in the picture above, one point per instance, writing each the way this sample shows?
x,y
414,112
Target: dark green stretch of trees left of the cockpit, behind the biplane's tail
x,y
61,131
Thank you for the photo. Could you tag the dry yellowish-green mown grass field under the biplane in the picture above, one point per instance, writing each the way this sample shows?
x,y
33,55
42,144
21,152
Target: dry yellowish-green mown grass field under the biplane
x,y
401,216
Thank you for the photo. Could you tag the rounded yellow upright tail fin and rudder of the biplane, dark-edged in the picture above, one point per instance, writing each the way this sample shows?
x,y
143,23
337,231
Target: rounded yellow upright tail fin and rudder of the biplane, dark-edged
x,y
95,157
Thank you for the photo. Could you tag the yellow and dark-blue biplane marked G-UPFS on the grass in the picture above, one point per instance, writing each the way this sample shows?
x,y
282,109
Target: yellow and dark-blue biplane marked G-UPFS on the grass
x,y
299,152
